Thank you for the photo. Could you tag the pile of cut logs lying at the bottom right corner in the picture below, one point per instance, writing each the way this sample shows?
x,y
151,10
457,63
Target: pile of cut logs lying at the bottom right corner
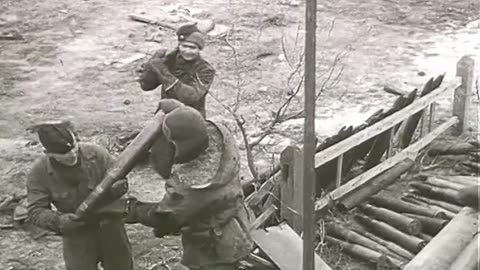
x,y
398,230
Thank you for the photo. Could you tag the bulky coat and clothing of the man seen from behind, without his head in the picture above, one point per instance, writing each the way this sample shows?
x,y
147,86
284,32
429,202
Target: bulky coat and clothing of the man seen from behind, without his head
x,y
204,203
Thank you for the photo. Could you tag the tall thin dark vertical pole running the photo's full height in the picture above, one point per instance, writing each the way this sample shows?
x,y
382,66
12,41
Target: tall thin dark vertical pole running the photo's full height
x,y
309,139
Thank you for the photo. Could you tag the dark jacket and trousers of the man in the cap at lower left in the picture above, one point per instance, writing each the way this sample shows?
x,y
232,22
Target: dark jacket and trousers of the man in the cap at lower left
x,y
101,239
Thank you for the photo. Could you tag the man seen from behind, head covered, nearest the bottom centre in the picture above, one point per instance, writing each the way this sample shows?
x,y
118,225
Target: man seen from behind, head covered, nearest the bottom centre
x,y
204,197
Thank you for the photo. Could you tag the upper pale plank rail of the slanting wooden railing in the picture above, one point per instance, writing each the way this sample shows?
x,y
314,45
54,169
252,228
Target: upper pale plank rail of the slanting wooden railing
x,y
370,132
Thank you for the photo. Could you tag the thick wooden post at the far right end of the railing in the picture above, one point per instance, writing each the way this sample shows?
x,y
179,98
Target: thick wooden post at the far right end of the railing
x,y
461,101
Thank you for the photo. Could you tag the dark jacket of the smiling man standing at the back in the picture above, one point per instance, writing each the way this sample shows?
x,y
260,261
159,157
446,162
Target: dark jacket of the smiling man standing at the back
x,y
186,81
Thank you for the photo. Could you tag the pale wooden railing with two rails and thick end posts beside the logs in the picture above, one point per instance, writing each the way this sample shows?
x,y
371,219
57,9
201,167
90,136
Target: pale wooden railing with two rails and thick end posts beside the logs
x,y
292,175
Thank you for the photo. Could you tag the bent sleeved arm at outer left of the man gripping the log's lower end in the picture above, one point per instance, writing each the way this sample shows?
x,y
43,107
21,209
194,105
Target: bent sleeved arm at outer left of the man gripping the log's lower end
x,y
39,203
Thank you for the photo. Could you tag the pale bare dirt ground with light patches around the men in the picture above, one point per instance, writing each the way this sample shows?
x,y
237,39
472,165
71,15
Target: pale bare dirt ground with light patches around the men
x,y
74,61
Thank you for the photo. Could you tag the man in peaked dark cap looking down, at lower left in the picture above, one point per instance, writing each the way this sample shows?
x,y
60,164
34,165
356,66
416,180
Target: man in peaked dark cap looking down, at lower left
x,y
64,177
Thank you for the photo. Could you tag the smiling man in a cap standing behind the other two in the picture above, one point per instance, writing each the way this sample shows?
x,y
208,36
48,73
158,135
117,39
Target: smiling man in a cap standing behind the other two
x,y
183,74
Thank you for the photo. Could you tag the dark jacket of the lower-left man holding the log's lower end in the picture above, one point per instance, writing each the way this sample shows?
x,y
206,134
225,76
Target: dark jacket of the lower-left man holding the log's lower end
x,y
65,187
